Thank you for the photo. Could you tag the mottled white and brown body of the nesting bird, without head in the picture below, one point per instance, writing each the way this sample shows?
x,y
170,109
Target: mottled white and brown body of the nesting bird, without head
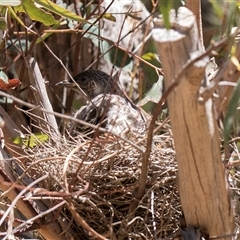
x,y
113,113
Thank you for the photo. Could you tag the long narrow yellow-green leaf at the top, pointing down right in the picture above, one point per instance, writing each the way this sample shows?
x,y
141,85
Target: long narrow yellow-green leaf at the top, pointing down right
x,y
52,7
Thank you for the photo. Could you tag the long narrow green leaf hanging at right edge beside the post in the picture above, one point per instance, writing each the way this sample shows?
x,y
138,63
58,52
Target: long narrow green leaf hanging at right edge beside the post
x,y
231,112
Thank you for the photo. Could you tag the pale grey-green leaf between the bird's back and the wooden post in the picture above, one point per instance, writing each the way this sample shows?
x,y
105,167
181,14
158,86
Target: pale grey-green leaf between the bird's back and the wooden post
x,y
154,94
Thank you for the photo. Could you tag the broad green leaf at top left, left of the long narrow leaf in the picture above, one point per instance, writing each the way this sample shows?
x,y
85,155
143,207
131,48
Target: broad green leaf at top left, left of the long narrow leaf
x,y
36,13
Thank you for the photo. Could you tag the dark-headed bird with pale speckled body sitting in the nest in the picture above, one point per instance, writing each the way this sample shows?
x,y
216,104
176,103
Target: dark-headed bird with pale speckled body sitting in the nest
x,y
108,106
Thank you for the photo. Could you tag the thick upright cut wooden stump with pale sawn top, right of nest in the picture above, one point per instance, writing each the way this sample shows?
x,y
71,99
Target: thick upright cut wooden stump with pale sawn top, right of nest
x,y
202,187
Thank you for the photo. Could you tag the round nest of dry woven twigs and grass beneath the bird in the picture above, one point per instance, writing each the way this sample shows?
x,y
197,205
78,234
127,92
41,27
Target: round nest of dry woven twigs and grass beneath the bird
x,y
99,180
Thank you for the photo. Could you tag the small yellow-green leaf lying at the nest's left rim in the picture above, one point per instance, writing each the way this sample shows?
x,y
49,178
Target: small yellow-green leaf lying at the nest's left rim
x,y
32,140
